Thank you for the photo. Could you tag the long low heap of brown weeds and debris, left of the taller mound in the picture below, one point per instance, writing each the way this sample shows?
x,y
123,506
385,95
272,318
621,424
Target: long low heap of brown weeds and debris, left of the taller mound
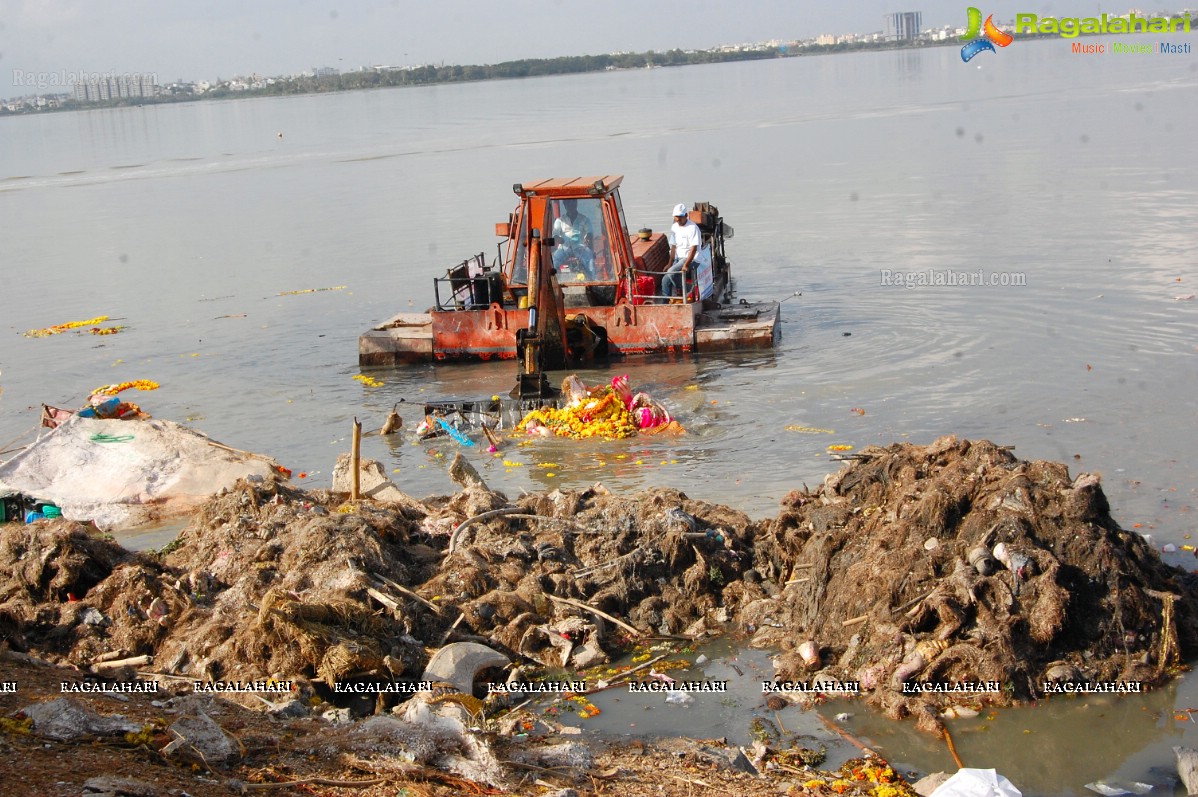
x,y
271,582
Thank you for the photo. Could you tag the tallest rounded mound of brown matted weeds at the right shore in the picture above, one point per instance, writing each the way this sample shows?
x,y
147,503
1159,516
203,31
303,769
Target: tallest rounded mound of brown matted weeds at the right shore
x,y
957,564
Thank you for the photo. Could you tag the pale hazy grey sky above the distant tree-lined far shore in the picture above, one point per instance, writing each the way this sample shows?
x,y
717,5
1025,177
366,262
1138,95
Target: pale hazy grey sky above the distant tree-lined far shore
x,y
196,41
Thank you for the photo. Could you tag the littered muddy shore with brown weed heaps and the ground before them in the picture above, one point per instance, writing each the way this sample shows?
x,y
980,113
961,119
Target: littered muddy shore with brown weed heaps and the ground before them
x,y
915,576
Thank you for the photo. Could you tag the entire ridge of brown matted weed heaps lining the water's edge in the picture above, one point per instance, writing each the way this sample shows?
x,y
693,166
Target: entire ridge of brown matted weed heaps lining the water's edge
x,y
947,564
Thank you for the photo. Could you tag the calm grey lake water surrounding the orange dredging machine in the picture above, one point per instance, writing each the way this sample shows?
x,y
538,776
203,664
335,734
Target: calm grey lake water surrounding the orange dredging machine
x,y
1070,182
